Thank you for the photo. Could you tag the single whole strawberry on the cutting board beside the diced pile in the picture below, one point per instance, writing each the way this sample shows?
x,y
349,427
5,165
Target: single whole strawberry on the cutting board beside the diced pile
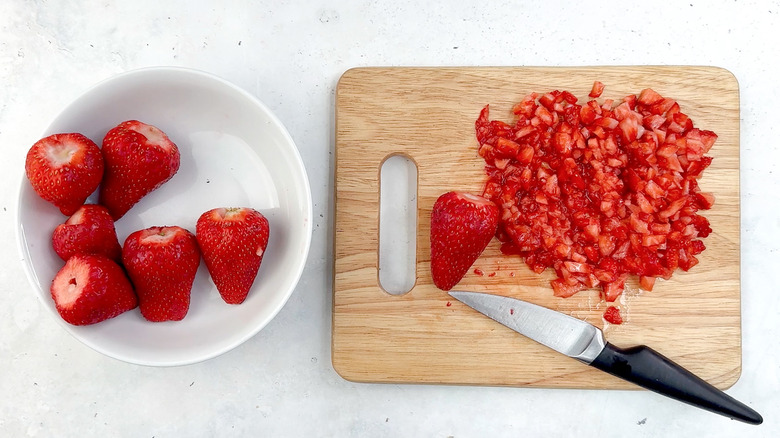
x,y
462,225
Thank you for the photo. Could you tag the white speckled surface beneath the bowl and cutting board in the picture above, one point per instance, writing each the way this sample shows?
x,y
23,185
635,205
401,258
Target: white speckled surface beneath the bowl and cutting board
x,y
290,55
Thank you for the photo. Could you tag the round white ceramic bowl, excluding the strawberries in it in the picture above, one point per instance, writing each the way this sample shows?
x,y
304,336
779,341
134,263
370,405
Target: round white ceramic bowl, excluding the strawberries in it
x,y
234,152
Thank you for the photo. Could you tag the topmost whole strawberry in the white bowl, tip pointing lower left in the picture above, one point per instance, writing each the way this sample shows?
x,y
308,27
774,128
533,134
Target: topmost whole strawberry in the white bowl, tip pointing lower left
x,y
139,159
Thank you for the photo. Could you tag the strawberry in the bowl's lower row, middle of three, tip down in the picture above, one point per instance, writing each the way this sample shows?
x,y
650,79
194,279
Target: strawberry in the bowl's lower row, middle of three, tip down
x,y
162,262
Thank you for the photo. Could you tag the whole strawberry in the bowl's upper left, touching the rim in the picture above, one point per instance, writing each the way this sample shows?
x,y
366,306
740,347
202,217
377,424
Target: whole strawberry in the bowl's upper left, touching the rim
x,y
64,169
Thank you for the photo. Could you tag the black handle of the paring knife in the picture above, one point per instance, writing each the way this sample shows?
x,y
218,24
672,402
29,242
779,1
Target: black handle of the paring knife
x,y
651,370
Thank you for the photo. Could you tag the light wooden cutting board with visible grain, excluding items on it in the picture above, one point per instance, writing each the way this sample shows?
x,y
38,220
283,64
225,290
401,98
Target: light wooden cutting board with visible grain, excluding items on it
x,y
424,336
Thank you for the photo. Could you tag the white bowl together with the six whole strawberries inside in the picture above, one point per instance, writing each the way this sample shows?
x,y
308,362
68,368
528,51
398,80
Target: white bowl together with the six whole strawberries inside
x,y
164,217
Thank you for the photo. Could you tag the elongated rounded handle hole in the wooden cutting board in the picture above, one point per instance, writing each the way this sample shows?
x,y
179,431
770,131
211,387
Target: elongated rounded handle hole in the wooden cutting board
x,y
397,224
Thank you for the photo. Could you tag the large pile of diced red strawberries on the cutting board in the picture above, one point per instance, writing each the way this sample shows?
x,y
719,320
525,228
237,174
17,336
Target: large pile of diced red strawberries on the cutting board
x,y
600,190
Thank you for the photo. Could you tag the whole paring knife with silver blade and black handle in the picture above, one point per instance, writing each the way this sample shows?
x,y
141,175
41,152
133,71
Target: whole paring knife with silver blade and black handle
x,y
585,342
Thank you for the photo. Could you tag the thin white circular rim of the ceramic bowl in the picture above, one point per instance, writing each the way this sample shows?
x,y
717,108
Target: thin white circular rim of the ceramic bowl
x,y
307,204
